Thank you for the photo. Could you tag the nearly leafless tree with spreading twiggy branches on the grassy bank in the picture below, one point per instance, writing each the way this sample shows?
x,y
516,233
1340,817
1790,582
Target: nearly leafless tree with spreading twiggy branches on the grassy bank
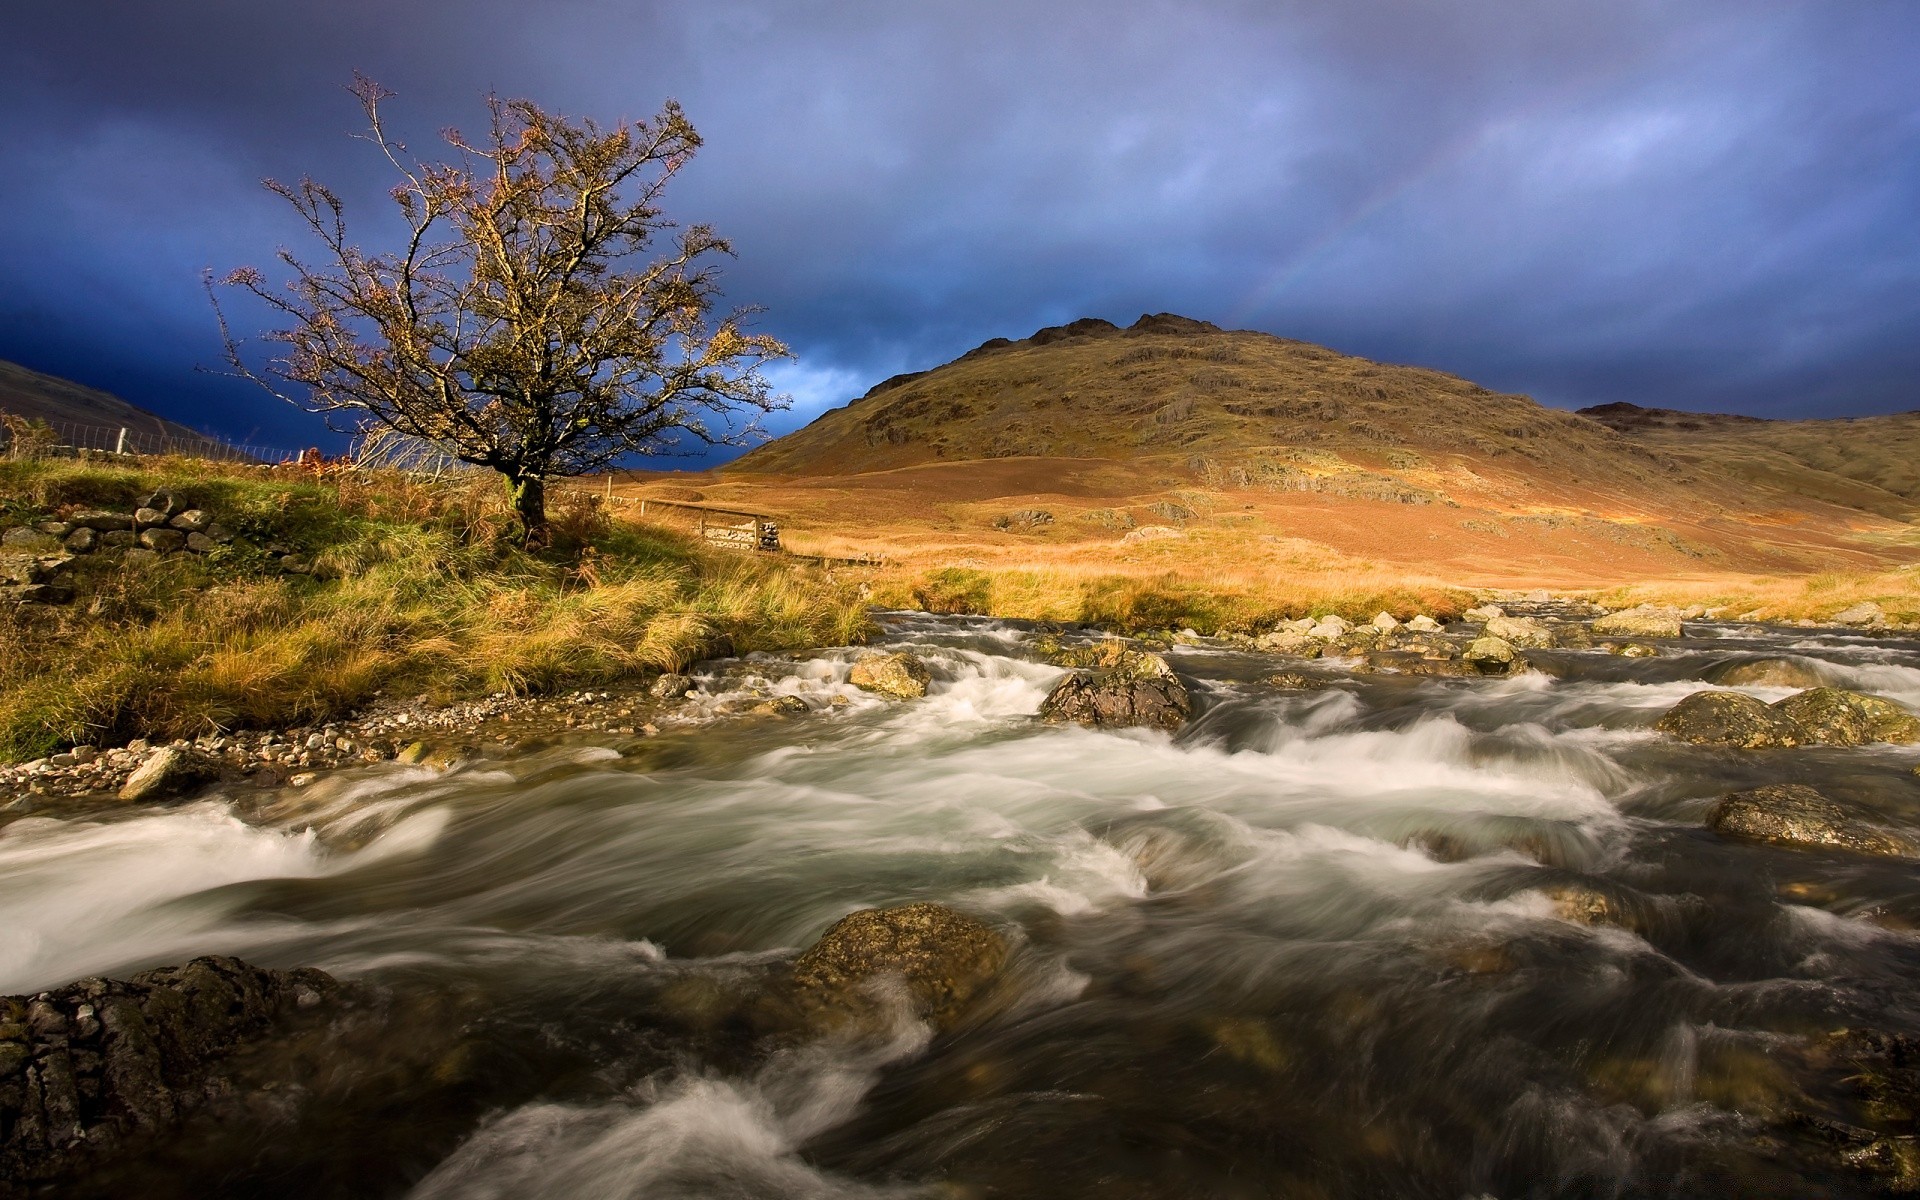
x,y
523,327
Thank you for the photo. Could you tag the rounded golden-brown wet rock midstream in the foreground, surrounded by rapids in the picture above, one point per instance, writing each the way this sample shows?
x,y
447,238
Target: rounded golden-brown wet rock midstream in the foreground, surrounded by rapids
x,y
940,959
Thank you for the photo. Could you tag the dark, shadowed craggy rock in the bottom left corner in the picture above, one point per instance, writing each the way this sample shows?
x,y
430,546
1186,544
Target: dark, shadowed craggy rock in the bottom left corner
x,y
103,1065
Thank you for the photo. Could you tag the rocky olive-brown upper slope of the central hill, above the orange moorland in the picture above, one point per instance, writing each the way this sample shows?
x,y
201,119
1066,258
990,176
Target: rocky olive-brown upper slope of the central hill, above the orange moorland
x,y
1257,406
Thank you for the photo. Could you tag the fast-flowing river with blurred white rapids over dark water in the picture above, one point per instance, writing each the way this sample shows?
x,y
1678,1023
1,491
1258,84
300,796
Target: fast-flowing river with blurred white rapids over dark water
x,y
1318,944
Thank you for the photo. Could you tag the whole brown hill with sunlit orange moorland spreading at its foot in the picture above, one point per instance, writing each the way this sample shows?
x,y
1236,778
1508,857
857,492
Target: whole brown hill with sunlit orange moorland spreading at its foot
x,y
1291,477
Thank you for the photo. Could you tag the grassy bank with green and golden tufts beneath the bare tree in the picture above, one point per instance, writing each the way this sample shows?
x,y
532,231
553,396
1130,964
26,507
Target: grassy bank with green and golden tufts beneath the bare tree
x,y
416,590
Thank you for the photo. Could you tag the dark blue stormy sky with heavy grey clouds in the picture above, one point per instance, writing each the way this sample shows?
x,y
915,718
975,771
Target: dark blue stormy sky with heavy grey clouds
x,y
1687,204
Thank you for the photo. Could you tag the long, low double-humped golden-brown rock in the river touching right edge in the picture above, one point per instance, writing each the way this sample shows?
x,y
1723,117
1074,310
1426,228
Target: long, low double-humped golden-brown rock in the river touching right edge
x,y
1813,717
